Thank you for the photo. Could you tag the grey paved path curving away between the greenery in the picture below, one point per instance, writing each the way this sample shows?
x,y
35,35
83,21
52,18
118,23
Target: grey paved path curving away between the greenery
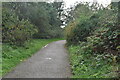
x,y
50,62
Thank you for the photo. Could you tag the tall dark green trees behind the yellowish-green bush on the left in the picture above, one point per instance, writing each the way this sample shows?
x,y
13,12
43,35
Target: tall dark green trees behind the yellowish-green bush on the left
x,y
43,15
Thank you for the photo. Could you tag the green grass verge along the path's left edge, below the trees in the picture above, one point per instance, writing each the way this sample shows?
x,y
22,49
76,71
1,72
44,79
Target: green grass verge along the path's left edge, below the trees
x,y
13,55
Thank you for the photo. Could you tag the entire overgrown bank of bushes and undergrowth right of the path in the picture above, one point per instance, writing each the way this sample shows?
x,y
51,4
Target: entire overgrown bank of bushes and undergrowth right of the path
x,y
93,40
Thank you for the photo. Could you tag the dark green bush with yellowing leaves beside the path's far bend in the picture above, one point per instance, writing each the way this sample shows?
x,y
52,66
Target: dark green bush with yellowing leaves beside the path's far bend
x,y
78,31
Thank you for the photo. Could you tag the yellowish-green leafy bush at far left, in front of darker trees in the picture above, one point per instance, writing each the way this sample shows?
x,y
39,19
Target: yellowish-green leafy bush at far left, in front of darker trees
x,y
16,31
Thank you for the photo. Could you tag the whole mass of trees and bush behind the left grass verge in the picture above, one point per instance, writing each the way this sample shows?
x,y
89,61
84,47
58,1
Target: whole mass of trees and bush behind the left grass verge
x,y
22,21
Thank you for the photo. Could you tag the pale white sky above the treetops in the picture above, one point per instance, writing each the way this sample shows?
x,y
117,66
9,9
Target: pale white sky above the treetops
x,y
71,2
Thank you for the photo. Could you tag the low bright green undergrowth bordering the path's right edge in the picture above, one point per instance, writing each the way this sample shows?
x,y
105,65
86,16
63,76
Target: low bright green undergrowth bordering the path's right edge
x,y
84,64
